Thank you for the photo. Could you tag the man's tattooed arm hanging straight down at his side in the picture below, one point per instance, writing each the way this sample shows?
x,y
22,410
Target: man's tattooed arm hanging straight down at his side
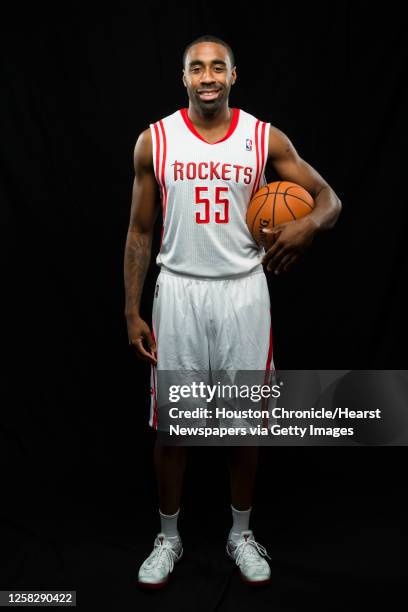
x,y
143,214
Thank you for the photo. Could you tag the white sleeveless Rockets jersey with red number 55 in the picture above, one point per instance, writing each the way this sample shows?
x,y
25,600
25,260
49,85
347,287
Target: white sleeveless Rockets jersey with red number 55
x,y
205,191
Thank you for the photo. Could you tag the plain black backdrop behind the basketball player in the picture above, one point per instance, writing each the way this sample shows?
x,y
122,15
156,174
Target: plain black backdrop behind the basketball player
x,y
79,508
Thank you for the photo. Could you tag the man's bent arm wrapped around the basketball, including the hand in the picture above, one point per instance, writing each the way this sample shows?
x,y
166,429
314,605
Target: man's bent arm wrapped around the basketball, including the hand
x,y
289,240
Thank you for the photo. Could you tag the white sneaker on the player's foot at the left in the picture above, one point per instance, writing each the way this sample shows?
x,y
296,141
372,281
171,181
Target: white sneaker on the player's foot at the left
x,y
155,570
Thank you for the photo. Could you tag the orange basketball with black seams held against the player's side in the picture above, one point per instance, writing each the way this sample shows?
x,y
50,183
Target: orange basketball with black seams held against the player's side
x,y
276,203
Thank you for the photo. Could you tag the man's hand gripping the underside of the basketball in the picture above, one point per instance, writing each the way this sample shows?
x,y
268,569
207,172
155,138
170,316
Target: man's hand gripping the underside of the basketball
x,y
287,242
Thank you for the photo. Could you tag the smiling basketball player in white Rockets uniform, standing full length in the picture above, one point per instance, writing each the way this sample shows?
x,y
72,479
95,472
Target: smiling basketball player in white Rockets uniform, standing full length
x,y
211,306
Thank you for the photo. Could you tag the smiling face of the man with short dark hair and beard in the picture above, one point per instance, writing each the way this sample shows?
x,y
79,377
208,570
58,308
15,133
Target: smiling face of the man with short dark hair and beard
x,y
208,76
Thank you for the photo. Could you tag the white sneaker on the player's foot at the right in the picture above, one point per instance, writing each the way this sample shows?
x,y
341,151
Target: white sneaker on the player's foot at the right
x,y
248,555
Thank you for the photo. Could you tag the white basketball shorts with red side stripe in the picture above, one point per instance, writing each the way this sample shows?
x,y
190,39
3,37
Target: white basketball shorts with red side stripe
x,y
207,324
